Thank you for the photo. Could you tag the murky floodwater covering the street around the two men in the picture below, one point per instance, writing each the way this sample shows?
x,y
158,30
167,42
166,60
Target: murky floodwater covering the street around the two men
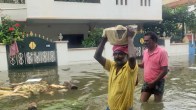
x,y
91,80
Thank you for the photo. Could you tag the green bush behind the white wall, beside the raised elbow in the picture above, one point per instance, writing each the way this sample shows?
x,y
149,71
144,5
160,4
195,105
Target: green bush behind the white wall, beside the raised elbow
x,y
93,39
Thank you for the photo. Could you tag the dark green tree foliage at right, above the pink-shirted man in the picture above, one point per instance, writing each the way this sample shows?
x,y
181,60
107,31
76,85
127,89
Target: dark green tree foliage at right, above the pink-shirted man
x,y
173,22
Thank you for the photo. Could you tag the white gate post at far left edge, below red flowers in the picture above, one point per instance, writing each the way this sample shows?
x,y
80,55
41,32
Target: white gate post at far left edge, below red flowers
x,y
3,58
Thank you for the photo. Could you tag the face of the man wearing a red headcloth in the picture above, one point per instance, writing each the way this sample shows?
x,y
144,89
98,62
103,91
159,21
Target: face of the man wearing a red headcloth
x,y
120,58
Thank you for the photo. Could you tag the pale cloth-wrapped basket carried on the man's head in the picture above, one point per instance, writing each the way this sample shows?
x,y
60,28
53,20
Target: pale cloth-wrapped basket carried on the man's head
x,y
116,35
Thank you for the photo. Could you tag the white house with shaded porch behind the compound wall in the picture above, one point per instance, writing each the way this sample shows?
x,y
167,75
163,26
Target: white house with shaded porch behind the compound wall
x,y
74,19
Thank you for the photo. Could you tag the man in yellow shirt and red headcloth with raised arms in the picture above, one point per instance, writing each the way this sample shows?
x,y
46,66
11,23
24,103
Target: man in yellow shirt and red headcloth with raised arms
x,y
122,73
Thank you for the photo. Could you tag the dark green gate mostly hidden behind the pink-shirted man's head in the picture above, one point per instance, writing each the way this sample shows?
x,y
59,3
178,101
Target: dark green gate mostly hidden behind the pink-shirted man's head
x,y
139,44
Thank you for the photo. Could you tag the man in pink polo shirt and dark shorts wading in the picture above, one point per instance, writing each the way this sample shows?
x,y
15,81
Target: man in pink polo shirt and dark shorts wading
x,y
155,64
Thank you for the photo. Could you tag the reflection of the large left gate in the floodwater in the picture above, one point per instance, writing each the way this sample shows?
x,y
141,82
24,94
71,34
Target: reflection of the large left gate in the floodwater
x,y
48,74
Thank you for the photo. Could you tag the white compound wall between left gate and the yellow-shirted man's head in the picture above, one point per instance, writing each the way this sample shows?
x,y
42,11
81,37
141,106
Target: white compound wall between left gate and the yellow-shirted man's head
x,y
78,55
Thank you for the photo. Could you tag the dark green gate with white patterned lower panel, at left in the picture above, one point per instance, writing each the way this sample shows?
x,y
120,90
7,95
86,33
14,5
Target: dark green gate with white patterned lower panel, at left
x,y
33,51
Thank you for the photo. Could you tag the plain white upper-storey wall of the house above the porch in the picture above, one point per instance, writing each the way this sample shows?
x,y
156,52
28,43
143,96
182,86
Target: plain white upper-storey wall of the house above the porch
x,y
107,9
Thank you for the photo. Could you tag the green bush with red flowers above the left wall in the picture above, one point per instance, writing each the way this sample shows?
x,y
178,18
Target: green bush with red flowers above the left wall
x,y
10,31
